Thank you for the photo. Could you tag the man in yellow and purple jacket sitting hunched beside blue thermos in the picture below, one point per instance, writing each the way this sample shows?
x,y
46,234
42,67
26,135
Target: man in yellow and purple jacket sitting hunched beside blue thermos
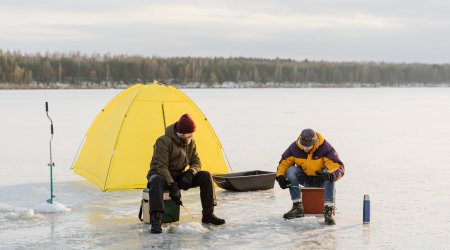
x,y
310,161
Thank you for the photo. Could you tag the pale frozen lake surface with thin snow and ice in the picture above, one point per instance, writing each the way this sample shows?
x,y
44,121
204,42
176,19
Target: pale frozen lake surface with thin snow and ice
x,y
393,141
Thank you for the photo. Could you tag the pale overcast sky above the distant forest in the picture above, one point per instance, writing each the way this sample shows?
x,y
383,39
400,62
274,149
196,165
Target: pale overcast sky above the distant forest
x,y
353,30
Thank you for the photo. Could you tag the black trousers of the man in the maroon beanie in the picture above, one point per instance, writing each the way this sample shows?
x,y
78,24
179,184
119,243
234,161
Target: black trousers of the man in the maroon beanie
x,y
157,185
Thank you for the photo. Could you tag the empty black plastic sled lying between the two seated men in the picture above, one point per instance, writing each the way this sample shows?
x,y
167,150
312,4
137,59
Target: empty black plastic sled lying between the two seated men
x,y
246,181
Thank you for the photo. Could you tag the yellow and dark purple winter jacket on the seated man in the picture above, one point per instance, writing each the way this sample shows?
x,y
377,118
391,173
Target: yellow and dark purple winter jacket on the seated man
x,y
321,156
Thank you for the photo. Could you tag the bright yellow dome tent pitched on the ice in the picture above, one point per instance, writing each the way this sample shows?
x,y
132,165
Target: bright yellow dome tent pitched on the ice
x,y
118,146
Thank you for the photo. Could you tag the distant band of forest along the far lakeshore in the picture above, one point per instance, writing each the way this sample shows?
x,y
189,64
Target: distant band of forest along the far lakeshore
x,y
76,69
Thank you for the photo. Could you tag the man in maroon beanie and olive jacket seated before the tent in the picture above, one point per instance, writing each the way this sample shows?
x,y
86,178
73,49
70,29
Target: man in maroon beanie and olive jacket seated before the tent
x,y
172,153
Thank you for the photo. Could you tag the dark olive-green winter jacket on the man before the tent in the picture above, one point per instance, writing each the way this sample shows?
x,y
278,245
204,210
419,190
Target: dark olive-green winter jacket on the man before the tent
x,y
171,156
